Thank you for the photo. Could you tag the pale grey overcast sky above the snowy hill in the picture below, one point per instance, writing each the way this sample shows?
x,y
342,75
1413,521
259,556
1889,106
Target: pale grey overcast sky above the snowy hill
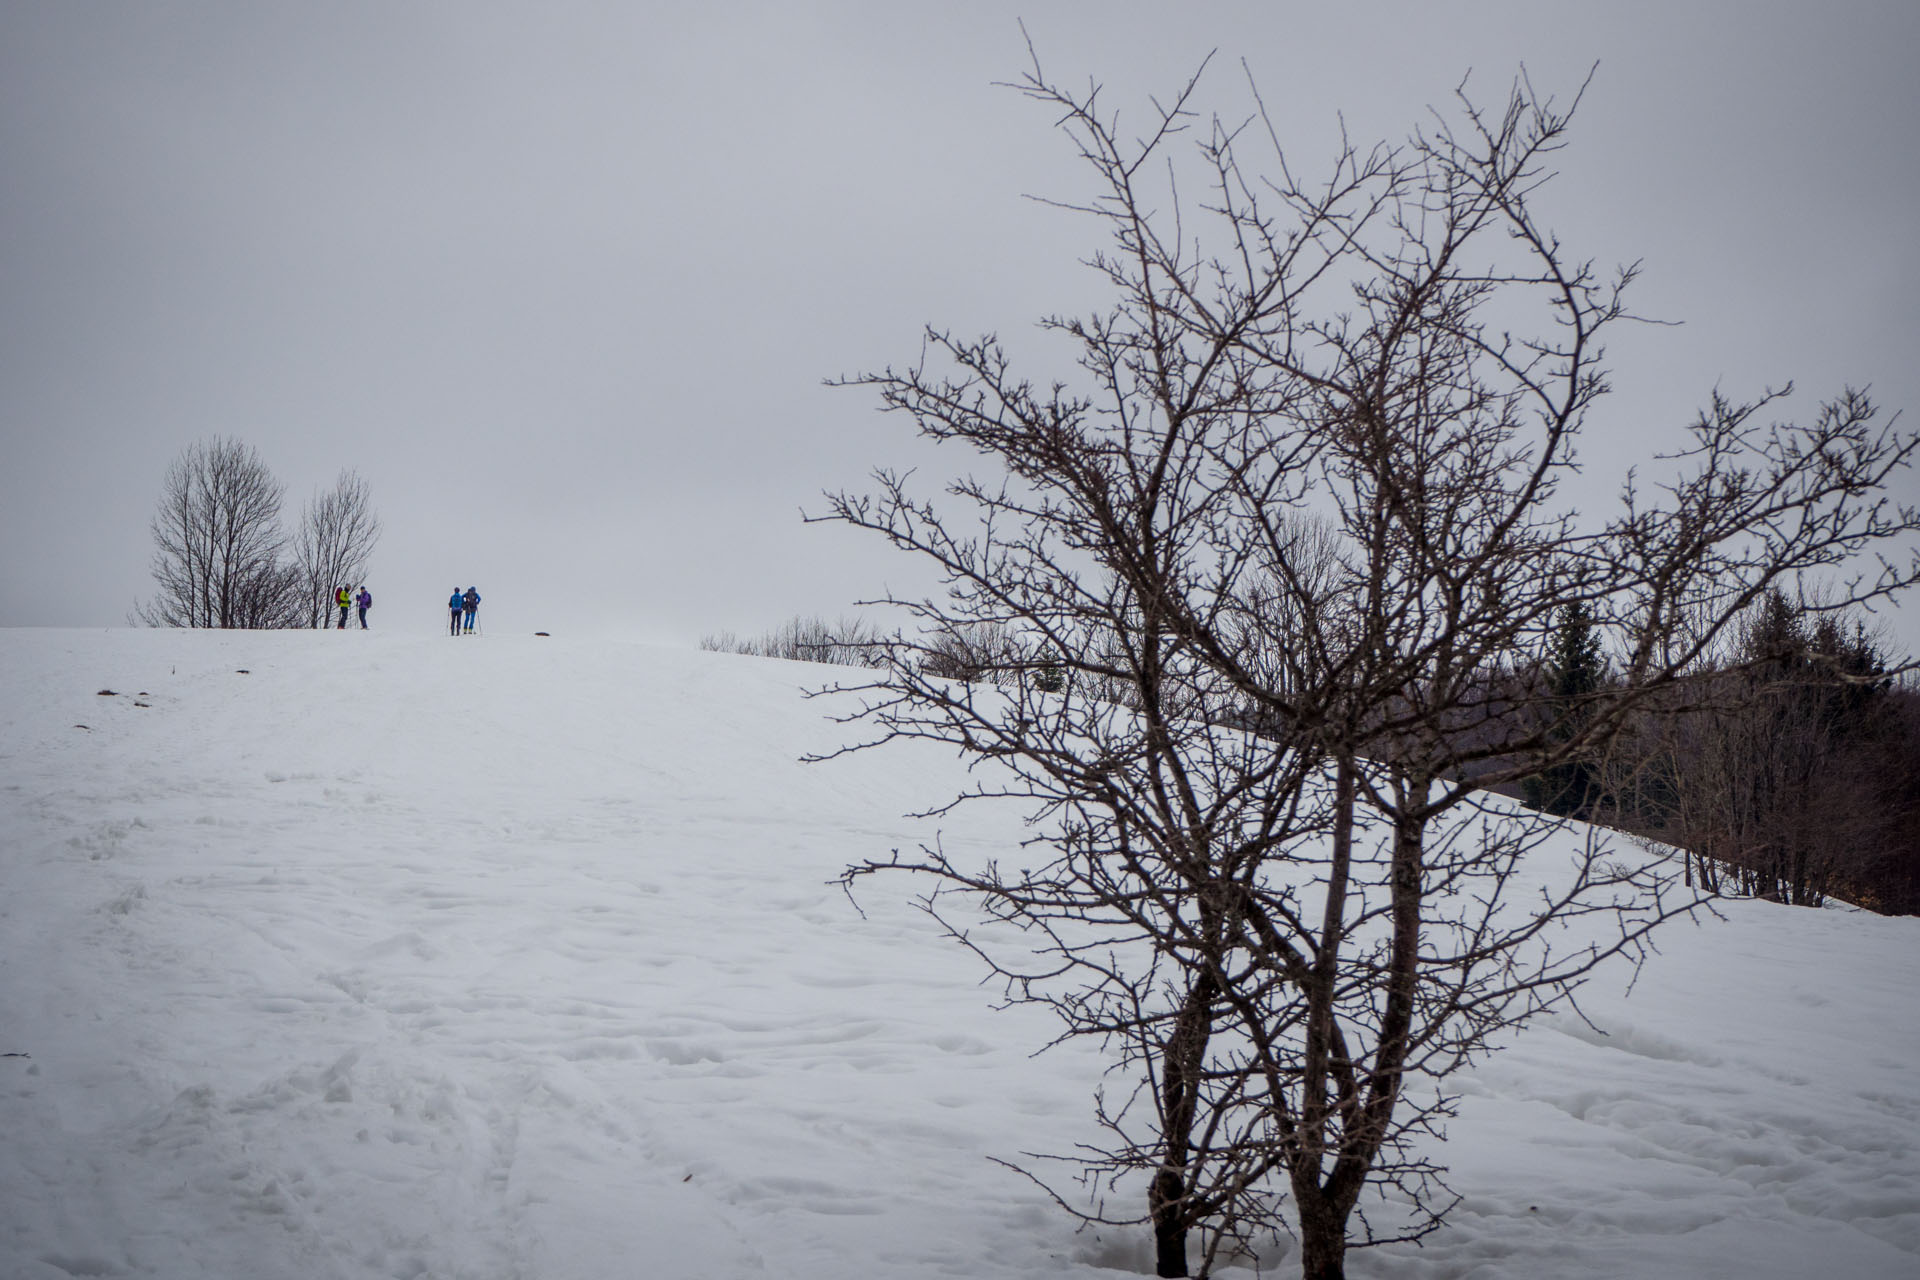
x,y
564,281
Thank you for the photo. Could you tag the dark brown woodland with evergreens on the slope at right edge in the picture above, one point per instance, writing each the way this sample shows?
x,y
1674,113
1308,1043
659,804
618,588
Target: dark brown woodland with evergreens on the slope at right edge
x,y
1792,772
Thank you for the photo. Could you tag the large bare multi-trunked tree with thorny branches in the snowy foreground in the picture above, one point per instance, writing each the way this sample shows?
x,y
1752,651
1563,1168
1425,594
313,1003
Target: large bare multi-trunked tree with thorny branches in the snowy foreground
x,y
1291,937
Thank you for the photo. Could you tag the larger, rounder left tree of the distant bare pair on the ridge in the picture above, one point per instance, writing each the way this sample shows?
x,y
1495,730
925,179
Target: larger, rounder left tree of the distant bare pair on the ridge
x,y
218,544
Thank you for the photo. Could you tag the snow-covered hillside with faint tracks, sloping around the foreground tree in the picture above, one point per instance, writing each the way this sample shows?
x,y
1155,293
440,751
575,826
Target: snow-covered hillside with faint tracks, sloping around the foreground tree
x,y
404,957
